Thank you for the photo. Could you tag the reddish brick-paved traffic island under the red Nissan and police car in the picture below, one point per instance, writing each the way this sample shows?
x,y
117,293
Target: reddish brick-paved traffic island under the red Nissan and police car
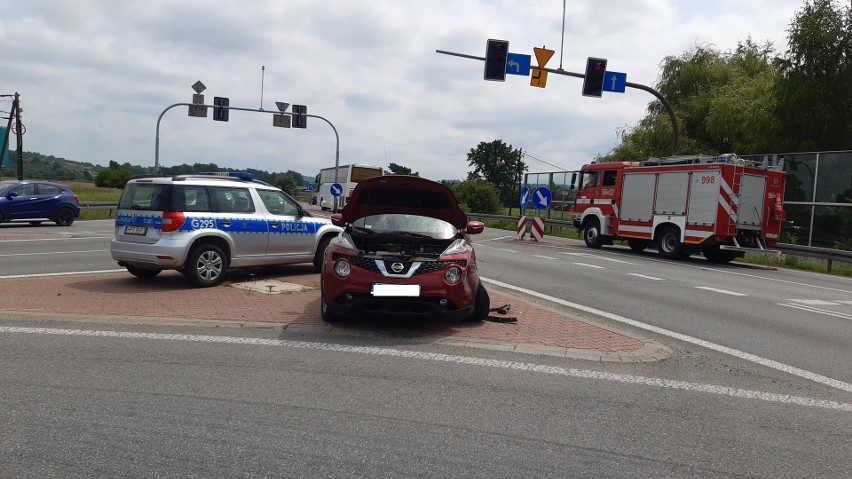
x,y
289,296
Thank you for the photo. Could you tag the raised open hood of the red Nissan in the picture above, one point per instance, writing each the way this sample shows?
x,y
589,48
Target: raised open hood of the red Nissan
x,y
403,194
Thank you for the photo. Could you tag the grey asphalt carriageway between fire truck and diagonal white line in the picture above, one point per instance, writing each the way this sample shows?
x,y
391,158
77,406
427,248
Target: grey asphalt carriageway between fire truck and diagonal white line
x,y
797,318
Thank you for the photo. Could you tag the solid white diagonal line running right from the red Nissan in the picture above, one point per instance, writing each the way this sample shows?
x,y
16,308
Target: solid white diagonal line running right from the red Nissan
x,y
683,337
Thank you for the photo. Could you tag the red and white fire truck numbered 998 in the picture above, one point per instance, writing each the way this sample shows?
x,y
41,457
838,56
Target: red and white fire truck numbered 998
x,y
721,206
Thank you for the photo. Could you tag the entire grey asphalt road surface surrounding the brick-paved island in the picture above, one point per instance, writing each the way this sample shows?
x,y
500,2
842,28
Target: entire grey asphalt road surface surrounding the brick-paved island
x,y
118,400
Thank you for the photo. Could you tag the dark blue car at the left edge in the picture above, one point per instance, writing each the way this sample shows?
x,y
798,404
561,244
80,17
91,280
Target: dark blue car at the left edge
x,y
37,201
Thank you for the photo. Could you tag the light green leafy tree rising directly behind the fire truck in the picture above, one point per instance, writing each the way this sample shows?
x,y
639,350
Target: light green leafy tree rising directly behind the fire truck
x,y
723,102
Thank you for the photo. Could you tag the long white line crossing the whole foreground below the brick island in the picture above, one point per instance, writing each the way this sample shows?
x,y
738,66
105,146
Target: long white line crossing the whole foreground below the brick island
x,y
450,358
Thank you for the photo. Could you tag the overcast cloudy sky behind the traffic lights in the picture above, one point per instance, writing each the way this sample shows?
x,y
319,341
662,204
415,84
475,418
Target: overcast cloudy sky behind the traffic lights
x,y
94,76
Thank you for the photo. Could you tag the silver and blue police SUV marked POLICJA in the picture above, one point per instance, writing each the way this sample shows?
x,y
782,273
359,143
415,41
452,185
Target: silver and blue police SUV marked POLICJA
x,y
205,224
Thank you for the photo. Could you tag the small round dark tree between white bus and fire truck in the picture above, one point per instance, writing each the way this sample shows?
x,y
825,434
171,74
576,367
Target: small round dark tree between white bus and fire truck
x,y
496,163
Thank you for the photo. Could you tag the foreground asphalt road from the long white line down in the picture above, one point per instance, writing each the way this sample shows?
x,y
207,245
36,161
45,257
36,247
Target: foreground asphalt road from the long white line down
x,y
78,403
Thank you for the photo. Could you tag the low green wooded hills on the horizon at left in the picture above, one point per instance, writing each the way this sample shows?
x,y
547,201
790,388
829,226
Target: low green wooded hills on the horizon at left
x,y
41,167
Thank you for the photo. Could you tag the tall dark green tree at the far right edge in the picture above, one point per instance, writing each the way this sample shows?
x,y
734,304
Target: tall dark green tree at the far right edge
x,y
814,91
